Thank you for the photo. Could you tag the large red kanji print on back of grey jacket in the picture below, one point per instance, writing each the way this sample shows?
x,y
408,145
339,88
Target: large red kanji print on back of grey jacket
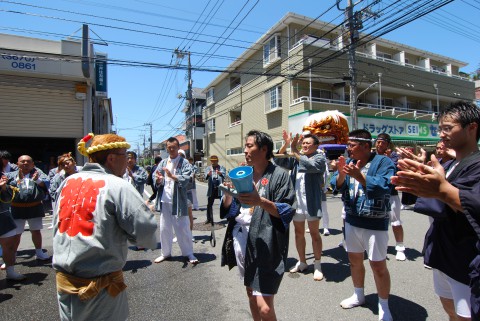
x,y
77,204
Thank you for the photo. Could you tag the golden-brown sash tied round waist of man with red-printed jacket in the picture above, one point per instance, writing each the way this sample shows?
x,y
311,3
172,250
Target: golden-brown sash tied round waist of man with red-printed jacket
x,y
89,288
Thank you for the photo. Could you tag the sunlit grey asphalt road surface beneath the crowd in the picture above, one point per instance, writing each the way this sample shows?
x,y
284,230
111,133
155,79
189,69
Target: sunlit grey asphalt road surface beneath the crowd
x,y
175,290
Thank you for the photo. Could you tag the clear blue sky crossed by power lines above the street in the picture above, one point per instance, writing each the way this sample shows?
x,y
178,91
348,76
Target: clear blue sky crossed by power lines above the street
x,y
149,30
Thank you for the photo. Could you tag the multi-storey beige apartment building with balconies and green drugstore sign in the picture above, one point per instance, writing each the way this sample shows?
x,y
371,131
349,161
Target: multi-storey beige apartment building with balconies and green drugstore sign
x,y
295,70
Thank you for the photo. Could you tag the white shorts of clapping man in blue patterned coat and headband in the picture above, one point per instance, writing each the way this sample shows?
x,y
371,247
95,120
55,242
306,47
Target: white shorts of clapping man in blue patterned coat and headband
x,y
358,240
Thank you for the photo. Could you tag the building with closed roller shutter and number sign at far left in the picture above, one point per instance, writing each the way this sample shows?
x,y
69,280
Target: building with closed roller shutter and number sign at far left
x,y
47,102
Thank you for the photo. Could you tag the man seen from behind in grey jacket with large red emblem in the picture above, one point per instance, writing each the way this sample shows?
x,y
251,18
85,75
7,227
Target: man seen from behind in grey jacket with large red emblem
x,y
96,213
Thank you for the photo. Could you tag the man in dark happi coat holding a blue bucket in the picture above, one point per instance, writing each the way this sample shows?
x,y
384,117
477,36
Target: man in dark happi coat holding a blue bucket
x,y
271,209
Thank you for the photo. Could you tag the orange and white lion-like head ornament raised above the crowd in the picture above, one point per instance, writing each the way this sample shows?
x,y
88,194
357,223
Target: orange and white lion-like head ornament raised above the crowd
x,y
331,127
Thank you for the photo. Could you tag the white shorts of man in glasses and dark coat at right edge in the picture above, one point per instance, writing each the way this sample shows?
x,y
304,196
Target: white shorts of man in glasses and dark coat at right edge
x,y
448,288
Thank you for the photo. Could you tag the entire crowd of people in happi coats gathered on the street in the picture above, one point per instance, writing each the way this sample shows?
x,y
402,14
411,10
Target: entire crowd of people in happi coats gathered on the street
x,y
288,185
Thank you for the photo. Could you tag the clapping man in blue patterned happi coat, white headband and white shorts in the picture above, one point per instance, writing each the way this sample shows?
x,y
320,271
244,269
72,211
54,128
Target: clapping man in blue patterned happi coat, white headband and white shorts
x,y
364,181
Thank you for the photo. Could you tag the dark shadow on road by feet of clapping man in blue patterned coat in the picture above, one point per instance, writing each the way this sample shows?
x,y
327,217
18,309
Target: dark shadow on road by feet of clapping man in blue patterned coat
x,y
401,309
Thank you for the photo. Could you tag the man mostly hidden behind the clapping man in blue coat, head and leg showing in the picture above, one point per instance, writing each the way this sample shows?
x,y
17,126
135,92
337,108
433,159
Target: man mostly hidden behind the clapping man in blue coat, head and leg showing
x,y
382,145
